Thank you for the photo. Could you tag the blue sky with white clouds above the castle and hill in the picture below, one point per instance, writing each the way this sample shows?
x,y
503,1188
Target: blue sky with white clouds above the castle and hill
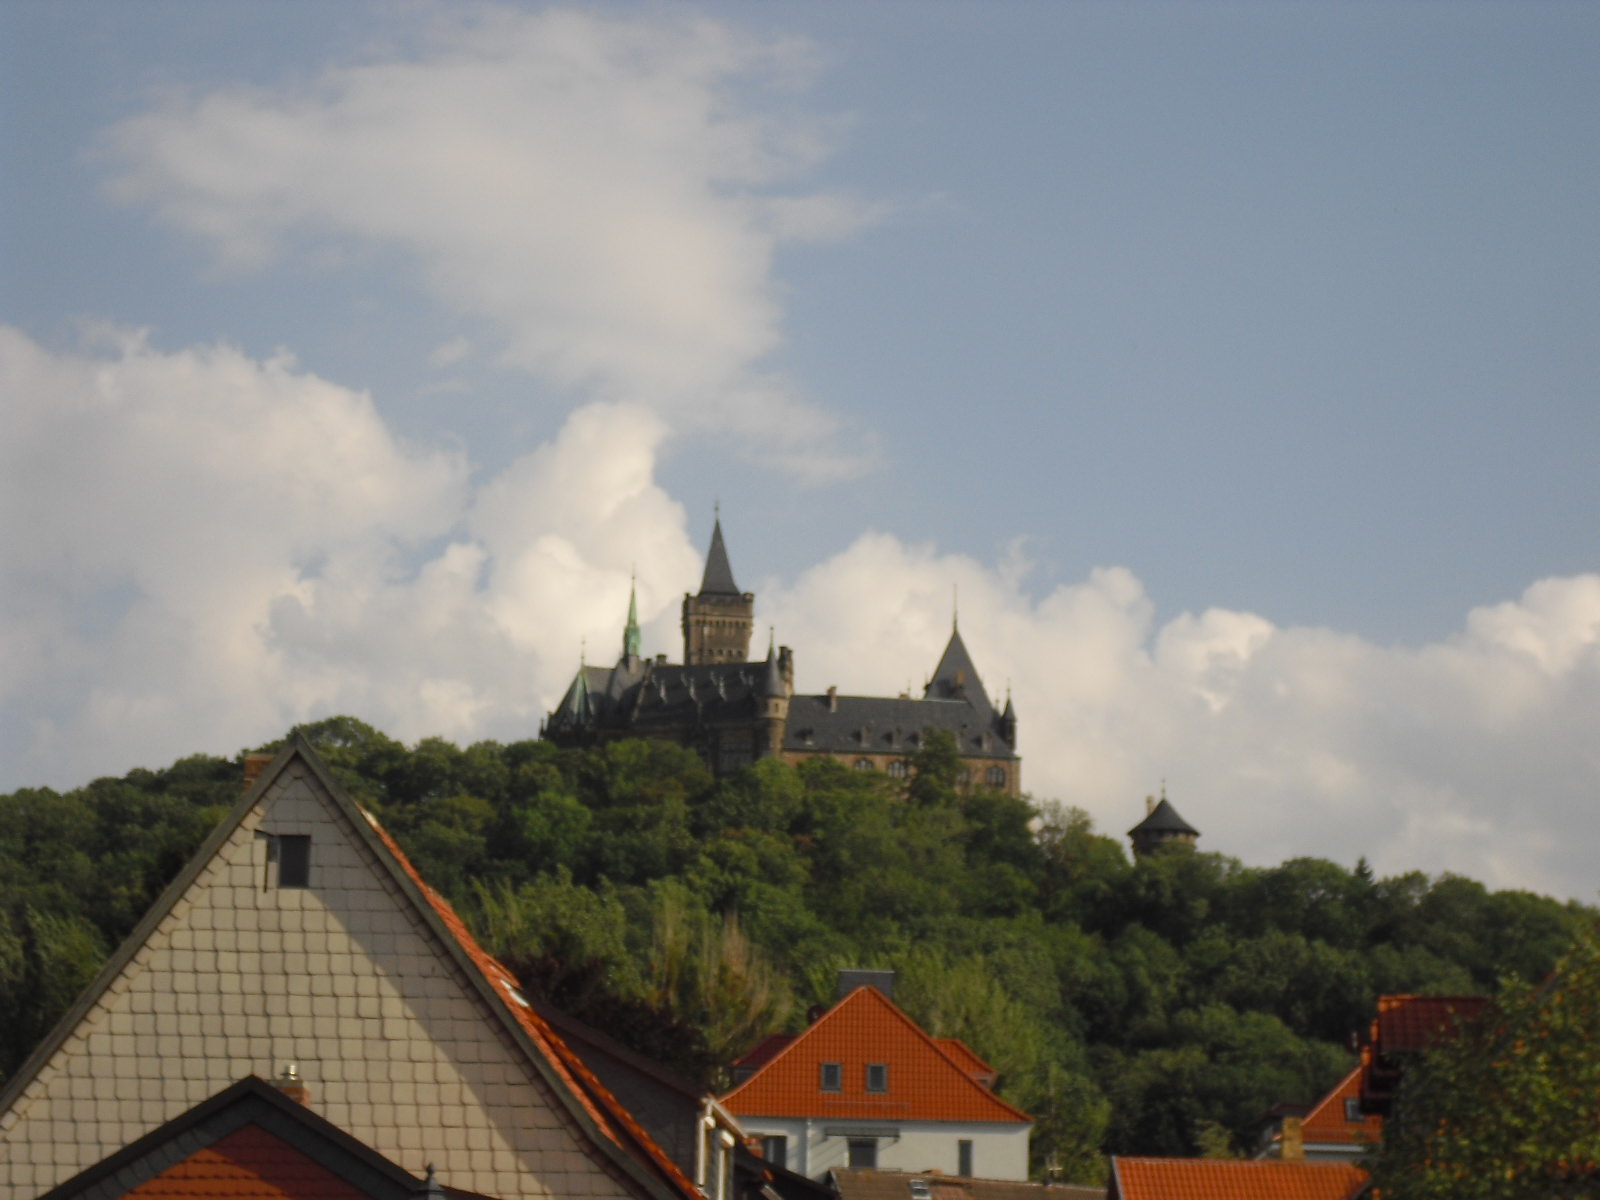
x,y
1233,367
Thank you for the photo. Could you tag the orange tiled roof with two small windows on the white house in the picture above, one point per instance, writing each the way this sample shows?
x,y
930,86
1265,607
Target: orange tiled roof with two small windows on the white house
x,y
926,1081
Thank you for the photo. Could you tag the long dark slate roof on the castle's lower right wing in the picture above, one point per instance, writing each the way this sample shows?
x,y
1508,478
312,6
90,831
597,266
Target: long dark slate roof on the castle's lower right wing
x,y
878,726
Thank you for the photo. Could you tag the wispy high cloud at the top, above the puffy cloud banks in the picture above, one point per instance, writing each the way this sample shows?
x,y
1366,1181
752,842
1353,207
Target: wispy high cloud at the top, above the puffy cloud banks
x,y
607,194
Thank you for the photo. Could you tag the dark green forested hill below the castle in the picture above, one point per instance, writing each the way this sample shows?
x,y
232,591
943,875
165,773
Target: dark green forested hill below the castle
x,y
1153,1007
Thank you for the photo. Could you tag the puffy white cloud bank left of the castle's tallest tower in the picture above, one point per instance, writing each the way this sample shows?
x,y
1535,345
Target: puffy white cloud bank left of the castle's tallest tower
x,y
204,550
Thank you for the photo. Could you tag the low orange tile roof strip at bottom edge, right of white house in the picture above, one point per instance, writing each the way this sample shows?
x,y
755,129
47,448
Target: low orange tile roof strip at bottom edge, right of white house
x,y
1233,1180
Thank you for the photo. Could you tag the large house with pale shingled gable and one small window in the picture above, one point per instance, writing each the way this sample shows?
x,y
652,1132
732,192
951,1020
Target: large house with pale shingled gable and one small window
x,y
302,945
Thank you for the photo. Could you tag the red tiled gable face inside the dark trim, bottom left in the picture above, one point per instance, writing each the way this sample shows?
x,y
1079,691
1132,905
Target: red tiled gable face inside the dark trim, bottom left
x,y
249,1164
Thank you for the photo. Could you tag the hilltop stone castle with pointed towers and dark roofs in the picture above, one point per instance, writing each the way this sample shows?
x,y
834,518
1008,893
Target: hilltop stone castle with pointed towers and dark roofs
x,y
734,710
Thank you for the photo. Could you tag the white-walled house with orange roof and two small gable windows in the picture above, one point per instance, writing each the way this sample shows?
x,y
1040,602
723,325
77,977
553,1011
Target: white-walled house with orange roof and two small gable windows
x,y
865,1087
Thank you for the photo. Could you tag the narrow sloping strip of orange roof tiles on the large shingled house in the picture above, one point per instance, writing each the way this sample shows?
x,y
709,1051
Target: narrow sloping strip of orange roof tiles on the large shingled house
x,y
607,1111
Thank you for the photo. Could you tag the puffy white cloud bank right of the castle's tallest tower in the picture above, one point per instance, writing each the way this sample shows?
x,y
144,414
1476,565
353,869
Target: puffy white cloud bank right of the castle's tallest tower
x,y
1474,754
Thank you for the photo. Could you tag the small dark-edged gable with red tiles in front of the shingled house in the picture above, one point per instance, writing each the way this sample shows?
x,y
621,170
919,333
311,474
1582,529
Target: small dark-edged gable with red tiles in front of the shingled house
x,y
247,1142
